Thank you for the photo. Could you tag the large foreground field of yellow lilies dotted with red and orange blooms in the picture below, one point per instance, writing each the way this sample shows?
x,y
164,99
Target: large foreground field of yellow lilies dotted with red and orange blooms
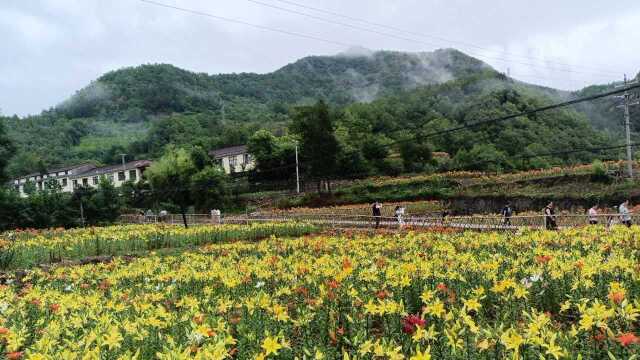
x,y
535,295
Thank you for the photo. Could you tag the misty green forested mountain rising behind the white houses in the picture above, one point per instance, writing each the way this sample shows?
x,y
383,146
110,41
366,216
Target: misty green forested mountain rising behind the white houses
x,y
379,99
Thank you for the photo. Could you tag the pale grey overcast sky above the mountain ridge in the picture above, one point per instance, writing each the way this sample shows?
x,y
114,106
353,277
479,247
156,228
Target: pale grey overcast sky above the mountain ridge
x,y
51,48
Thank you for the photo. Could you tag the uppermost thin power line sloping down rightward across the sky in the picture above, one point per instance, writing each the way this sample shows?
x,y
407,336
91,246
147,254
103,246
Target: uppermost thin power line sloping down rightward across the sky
x,y
442,39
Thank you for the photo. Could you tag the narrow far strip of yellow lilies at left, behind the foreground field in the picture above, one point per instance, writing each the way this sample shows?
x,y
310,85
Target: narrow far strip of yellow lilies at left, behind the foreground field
x,y
24,249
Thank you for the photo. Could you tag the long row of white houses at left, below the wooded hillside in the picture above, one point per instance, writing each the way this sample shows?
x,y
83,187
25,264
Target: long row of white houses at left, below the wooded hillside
x,y
87,175
